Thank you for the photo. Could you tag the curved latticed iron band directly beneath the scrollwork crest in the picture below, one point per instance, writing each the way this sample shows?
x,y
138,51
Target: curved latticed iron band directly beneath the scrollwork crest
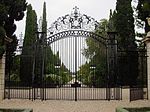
x,y
76,33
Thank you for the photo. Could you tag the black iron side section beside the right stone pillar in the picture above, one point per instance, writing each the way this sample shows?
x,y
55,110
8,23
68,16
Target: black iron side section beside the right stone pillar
x,y
137,84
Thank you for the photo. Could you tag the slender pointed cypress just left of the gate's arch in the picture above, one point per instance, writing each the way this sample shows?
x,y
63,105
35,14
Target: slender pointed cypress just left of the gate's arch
x,y
40,49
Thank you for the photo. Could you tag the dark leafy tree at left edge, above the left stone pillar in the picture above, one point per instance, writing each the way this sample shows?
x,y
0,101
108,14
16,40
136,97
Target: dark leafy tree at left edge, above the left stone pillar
x,y
10,11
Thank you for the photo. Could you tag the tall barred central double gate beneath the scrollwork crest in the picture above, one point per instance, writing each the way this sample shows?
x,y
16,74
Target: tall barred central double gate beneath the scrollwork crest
x,y
77,75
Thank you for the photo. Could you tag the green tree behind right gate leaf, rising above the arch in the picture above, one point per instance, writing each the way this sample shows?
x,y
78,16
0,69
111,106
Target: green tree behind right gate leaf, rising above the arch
x,y
96,54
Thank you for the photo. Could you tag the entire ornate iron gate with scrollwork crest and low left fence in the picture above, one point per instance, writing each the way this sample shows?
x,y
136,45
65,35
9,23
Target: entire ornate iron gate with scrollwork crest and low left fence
x,y
66,67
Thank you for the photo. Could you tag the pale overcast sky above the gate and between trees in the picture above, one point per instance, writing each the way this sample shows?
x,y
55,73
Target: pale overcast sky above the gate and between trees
x,y
97,9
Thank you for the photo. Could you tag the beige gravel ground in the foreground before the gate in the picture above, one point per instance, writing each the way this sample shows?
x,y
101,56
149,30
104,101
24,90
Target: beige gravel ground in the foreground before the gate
x,y
71,106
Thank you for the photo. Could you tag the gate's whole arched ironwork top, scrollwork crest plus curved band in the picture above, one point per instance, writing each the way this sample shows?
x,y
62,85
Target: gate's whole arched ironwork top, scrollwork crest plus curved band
x,y
75,24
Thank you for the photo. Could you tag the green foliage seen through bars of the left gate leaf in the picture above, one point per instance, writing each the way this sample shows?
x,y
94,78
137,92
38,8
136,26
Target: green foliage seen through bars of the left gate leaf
x,y
55,76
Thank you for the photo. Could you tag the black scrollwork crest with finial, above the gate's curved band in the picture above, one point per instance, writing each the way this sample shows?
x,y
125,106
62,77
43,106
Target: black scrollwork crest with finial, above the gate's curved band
x,y
74,21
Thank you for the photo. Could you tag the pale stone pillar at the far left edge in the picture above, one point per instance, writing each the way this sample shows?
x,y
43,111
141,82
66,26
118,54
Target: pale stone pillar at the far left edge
x,y
2,77
